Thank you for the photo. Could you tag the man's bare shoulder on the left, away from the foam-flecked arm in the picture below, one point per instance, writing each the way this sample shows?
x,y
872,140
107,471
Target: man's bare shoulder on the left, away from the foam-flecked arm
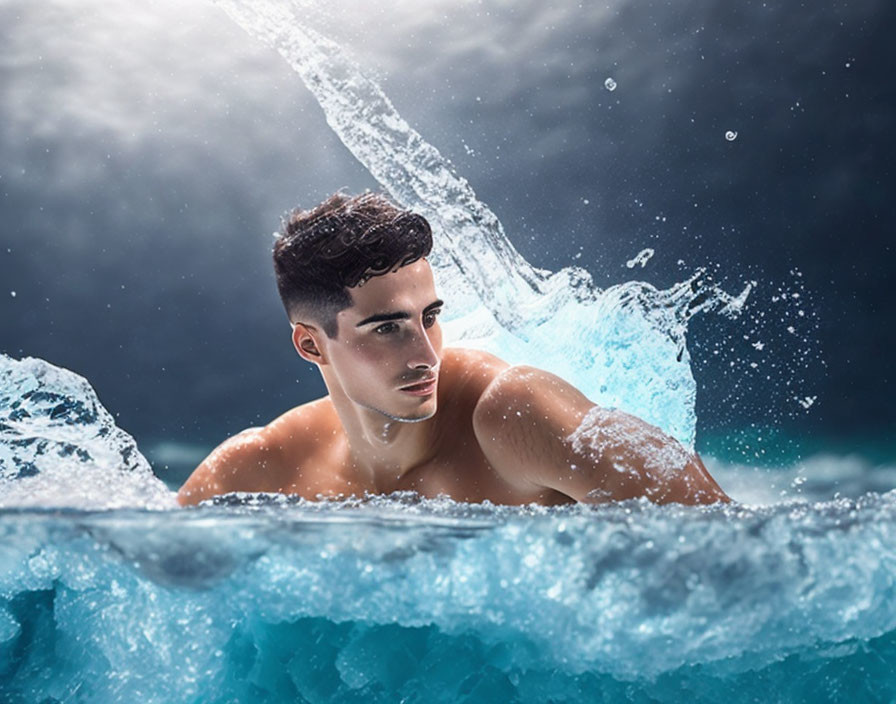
x,y
267,458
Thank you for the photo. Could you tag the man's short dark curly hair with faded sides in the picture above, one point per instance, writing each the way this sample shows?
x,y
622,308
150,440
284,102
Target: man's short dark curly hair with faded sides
x,y
343,242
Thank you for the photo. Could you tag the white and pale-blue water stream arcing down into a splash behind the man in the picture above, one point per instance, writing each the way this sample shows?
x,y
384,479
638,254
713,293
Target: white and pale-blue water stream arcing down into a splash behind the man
x,y
623,347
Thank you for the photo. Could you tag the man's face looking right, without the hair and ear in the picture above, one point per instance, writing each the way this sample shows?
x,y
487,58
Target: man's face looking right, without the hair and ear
x,y
389,345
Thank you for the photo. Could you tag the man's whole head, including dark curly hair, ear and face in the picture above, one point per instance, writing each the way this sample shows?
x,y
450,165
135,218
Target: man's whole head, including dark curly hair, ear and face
x,y
360,294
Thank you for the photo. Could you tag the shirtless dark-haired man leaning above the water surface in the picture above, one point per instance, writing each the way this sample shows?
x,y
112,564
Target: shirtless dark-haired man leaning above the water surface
x,y
404,414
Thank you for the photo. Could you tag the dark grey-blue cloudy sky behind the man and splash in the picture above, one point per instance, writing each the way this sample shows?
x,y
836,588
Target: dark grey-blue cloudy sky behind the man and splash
x,y
148,152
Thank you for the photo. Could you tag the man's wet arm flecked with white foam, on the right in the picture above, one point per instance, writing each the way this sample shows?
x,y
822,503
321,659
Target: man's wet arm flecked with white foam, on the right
x,y
539,431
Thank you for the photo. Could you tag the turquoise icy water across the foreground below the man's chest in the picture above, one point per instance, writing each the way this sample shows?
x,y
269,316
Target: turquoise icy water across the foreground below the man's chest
x,y
399,600
